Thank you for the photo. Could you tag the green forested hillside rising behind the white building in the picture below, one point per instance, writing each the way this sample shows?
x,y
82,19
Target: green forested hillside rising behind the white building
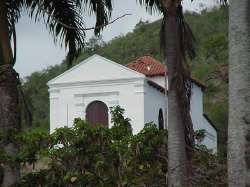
x,y
210,65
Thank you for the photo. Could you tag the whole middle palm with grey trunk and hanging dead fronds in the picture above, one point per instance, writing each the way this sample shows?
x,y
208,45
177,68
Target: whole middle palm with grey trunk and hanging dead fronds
x,y
177,42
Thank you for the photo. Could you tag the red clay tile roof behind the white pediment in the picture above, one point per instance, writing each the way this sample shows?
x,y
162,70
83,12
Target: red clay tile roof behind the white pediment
x,y
152,67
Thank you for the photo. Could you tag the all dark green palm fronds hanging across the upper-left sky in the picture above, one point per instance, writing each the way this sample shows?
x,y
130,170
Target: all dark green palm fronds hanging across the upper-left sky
x,y
63,18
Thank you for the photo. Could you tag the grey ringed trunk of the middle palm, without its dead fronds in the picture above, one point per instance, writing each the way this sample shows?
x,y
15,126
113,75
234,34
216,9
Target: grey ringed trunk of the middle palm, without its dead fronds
x,y
176,138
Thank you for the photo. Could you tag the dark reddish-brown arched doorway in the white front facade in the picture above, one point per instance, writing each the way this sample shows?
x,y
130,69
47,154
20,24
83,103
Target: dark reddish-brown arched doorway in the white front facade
x,y
97,113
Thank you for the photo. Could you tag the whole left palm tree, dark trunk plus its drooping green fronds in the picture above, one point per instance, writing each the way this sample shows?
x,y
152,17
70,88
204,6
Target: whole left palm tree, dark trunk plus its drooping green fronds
x,y
63,19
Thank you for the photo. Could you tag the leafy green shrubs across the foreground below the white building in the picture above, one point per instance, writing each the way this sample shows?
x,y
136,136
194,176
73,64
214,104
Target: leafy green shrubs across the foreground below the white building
x,y
83,155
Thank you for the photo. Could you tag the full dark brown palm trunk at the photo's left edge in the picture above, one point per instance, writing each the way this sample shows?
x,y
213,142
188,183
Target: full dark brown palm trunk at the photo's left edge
x,y
9,105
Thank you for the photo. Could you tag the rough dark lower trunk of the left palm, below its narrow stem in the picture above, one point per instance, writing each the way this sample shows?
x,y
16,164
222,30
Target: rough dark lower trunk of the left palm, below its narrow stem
x,y
9,119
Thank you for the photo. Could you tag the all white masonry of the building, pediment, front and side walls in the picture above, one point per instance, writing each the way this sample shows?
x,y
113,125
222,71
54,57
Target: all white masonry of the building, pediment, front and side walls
x,y
100,79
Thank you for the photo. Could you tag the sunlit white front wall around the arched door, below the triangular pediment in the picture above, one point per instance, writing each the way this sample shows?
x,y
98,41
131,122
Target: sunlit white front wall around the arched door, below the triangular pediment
x,y
72,101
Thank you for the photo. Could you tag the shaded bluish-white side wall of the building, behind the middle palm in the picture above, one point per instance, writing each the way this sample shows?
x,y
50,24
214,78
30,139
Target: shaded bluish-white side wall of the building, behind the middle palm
x,y
154,100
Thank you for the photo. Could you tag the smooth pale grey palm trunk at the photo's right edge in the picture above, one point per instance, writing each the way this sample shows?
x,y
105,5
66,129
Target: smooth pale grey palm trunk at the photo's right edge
x,y
239,94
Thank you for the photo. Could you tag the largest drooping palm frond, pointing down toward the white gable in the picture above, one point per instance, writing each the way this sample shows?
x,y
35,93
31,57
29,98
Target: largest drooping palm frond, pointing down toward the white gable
x,y
66,12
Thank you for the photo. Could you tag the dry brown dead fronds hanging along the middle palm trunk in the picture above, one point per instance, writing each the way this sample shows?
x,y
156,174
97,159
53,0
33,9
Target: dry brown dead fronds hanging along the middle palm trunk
x,y
181,82
